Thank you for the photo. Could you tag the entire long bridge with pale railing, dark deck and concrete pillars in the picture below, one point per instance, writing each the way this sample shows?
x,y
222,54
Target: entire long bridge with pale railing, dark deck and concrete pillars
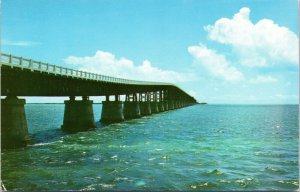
x,y
28,77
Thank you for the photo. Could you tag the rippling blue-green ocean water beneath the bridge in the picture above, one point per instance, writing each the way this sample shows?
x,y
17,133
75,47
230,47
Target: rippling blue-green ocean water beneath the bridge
x,y
202,147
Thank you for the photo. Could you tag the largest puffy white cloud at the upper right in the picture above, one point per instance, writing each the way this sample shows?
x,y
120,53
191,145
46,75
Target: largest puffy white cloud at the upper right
x,y
258,44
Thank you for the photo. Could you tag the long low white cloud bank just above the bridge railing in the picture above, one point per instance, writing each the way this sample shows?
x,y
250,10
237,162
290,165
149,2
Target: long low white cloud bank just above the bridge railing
x,y
107,64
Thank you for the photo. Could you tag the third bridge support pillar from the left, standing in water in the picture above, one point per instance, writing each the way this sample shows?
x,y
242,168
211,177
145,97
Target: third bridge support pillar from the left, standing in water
x,y
112,112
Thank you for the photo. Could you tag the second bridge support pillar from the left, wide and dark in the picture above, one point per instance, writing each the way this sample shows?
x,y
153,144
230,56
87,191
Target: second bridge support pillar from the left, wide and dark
x,y
78,116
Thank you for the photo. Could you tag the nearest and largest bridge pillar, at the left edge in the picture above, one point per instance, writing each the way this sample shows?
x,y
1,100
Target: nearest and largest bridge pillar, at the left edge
x,y
14,132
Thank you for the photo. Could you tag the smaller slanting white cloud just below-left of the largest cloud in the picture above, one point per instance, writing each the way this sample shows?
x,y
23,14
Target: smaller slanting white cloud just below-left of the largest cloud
x,y
215,63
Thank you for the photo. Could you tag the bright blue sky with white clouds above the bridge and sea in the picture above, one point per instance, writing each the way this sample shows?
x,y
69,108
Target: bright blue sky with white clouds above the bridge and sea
x,y
219,51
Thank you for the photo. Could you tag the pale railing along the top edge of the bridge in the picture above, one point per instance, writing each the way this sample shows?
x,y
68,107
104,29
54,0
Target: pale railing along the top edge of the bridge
x,y
33,65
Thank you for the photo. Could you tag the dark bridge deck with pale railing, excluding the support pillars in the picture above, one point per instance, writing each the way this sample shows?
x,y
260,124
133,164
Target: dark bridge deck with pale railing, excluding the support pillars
x,y
27,77
